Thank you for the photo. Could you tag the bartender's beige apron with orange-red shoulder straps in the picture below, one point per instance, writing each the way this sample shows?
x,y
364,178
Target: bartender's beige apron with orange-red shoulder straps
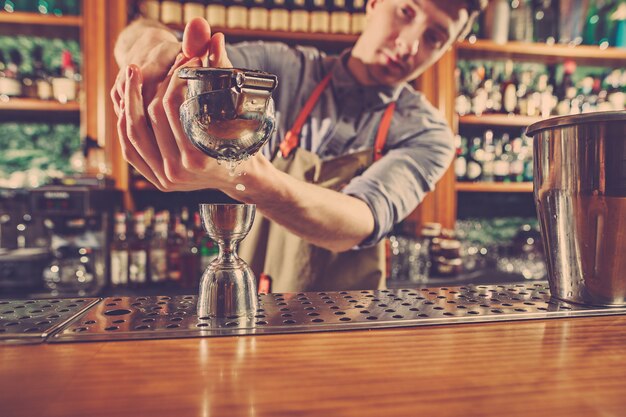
x,y
293,264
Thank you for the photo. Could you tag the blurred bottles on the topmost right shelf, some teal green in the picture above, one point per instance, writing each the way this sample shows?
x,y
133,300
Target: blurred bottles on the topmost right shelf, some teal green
x,y
590,22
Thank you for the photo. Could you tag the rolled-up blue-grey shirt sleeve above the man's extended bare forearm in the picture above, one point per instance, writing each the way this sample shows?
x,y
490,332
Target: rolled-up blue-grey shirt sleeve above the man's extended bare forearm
x,y
394,185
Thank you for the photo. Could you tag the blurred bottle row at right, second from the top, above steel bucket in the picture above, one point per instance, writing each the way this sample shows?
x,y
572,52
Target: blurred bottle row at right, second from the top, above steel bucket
x,y
536,89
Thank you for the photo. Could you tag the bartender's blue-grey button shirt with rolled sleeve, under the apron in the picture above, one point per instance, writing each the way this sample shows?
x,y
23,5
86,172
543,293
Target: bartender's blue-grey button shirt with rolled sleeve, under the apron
x,y
419,145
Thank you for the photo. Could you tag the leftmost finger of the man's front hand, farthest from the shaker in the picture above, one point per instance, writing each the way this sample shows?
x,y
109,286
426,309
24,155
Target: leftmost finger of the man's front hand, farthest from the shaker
x,y
137,130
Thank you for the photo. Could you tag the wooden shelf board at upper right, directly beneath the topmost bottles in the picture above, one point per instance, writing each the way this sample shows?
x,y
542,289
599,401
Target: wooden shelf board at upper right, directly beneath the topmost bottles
x,y
591,55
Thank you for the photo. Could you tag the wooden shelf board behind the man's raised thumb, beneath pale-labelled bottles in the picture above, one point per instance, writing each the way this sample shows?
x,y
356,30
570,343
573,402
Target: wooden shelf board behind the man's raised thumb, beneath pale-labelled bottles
x,y
334,40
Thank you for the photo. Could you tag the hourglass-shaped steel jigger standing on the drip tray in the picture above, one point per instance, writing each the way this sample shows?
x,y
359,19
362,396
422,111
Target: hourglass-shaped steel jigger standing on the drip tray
x,y
228,286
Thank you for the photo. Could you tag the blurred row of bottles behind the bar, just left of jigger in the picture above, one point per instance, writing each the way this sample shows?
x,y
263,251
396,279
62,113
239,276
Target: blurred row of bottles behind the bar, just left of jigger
x,y
155,248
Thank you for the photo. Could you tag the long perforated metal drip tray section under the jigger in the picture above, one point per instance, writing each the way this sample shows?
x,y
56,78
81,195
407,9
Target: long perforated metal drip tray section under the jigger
x,y
172,317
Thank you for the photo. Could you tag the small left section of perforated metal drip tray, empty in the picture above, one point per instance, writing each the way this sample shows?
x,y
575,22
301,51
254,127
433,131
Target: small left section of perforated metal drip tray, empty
x,y
31,321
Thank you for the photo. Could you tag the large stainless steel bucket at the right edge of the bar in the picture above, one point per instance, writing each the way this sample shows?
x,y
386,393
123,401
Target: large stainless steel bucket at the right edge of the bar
x,y
580,193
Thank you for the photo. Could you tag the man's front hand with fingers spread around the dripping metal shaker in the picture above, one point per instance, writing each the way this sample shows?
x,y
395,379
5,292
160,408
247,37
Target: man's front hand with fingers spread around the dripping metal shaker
x,y
151,136
